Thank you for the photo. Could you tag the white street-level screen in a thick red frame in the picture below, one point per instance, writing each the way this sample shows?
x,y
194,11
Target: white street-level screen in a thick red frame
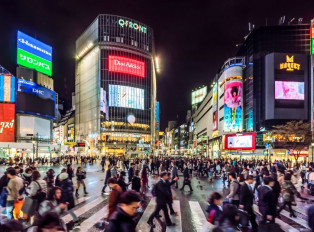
x,y
240,141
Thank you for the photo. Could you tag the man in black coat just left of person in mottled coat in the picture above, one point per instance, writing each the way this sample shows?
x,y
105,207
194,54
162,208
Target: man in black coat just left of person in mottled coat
x,y
267,201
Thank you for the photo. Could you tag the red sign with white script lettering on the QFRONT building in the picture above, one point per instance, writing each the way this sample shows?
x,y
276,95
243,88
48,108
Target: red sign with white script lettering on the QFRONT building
x,y
126,65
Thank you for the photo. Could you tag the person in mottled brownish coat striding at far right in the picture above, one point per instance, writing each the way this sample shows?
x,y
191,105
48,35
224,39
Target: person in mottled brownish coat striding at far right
x,y
288,192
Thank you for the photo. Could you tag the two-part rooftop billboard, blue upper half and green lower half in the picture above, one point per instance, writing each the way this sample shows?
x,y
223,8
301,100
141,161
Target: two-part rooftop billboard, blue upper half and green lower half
x,y
34,54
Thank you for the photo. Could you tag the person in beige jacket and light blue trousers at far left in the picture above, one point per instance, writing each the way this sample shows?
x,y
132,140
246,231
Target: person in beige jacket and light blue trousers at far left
x,y
15,185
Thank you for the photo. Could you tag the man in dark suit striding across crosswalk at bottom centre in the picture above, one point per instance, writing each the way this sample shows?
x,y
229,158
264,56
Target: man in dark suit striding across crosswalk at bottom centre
x,y
162,198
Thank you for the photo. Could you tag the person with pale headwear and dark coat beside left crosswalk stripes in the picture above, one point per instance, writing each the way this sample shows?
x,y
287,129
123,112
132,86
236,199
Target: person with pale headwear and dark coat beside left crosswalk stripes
x,y
67,195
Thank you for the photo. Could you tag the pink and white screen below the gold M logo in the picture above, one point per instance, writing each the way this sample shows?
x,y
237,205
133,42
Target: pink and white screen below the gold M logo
x,y
289,90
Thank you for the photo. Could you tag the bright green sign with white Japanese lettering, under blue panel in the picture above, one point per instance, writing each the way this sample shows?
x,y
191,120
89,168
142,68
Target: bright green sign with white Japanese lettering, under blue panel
x,y
31,61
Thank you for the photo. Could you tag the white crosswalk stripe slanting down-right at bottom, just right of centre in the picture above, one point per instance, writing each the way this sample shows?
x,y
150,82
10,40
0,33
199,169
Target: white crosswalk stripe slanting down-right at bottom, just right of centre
x,y
198,217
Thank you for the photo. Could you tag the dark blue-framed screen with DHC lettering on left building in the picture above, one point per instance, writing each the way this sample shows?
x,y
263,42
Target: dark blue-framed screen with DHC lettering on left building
x,y
35,99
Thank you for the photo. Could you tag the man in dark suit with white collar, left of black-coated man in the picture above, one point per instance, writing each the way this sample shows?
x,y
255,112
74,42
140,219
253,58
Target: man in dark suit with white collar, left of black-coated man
x,y
246,200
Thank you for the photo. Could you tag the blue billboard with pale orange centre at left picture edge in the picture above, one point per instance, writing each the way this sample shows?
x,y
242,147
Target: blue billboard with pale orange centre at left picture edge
x,y
7,88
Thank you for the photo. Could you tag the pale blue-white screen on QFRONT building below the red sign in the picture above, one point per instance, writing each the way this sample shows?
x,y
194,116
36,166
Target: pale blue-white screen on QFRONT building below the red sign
x,y
127,97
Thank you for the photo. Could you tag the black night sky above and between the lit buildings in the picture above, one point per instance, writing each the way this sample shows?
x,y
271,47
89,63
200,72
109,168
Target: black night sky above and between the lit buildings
x,y
193,38
